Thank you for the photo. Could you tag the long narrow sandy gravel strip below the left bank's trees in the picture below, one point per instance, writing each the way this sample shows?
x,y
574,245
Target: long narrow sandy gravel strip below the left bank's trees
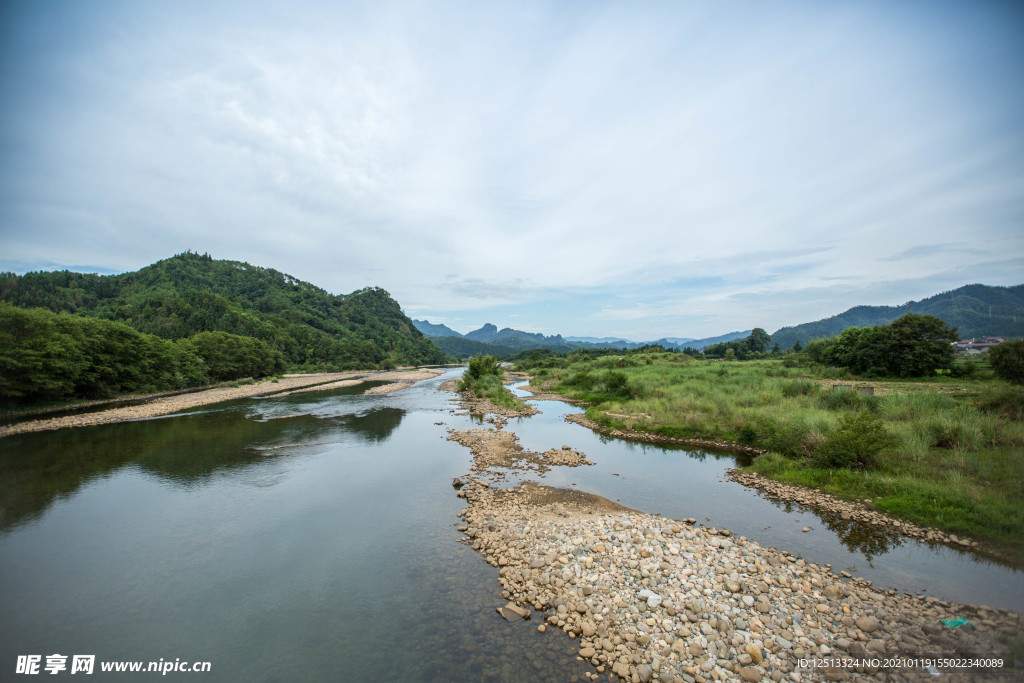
x,y
167,405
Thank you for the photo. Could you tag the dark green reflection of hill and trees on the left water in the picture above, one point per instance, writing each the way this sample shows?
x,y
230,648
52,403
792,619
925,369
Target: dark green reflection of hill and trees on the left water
x,y
38,469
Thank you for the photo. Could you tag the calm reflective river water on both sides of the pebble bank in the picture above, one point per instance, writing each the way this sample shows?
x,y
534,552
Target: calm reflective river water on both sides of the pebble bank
x,y
314,538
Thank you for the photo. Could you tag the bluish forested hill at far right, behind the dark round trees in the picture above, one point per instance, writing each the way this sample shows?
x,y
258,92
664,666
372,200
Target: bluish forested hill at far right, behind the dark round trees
x,y
976,311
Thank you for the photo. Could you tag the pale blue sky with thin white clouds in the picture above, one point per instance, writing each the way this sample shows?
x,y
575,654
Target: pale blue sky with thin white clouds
x,y
628,169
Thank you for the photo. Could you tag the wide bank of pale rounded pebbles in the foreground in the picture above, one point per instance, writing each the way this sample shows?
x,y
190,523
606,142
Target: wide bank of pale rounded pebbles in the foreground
x,y
653,597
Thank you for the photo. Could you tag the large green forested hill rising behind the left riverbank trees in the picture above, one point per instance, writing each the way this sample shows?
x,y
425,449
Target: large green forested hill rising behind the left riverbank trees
x,y
192,293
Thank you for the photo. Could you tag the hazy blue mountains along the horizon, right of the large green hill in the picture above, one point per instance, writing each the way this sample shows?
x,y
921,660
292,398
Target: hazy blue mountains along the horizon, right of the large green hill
x,y
976,311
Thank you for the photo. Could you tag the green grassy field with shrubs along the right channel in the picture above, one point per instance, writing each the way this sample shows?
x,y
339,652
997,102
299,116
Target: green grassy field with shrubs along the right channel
x,y
945,453
